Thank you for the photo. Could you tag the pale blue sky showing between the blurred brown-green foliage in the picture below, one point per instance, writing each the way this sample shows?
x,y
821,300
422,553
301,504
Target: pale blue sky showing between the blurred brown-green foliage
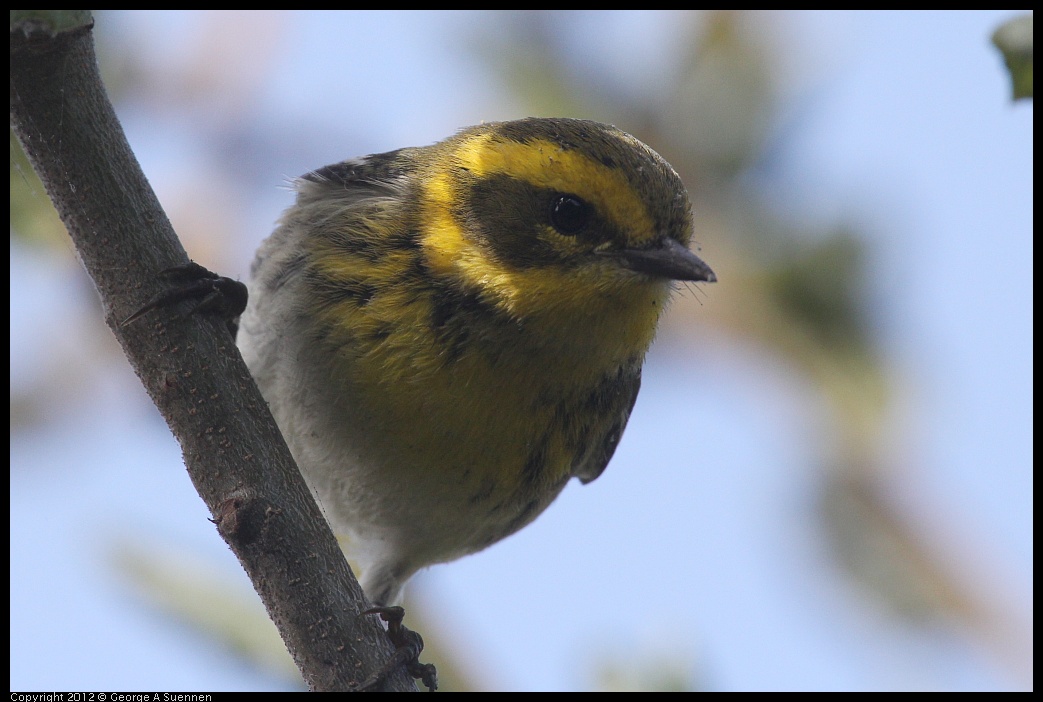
x,y
695,550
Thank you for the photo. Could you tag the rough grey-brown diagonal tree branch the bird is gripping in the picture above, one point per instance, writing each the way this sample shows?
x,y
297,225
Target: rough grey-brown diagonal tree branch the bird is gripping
x,y
190,367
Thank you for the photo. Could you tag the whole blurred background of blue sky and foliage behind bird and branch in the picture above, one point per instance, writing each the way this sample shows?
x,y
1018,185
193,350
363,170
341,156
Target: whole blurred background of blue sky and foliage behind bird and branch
x,y
827,483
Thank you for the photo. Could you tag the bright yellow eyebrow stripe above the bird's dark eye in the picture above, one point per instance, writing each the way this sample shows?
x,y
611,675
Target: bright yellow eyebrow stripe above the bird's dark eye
x,y
546,164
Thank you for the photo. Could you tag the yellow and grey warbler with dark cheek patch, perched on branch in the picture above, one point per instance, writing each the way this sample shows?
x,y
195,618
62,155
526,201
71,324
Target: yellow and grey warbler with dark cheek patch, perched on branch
x,y
448,334
